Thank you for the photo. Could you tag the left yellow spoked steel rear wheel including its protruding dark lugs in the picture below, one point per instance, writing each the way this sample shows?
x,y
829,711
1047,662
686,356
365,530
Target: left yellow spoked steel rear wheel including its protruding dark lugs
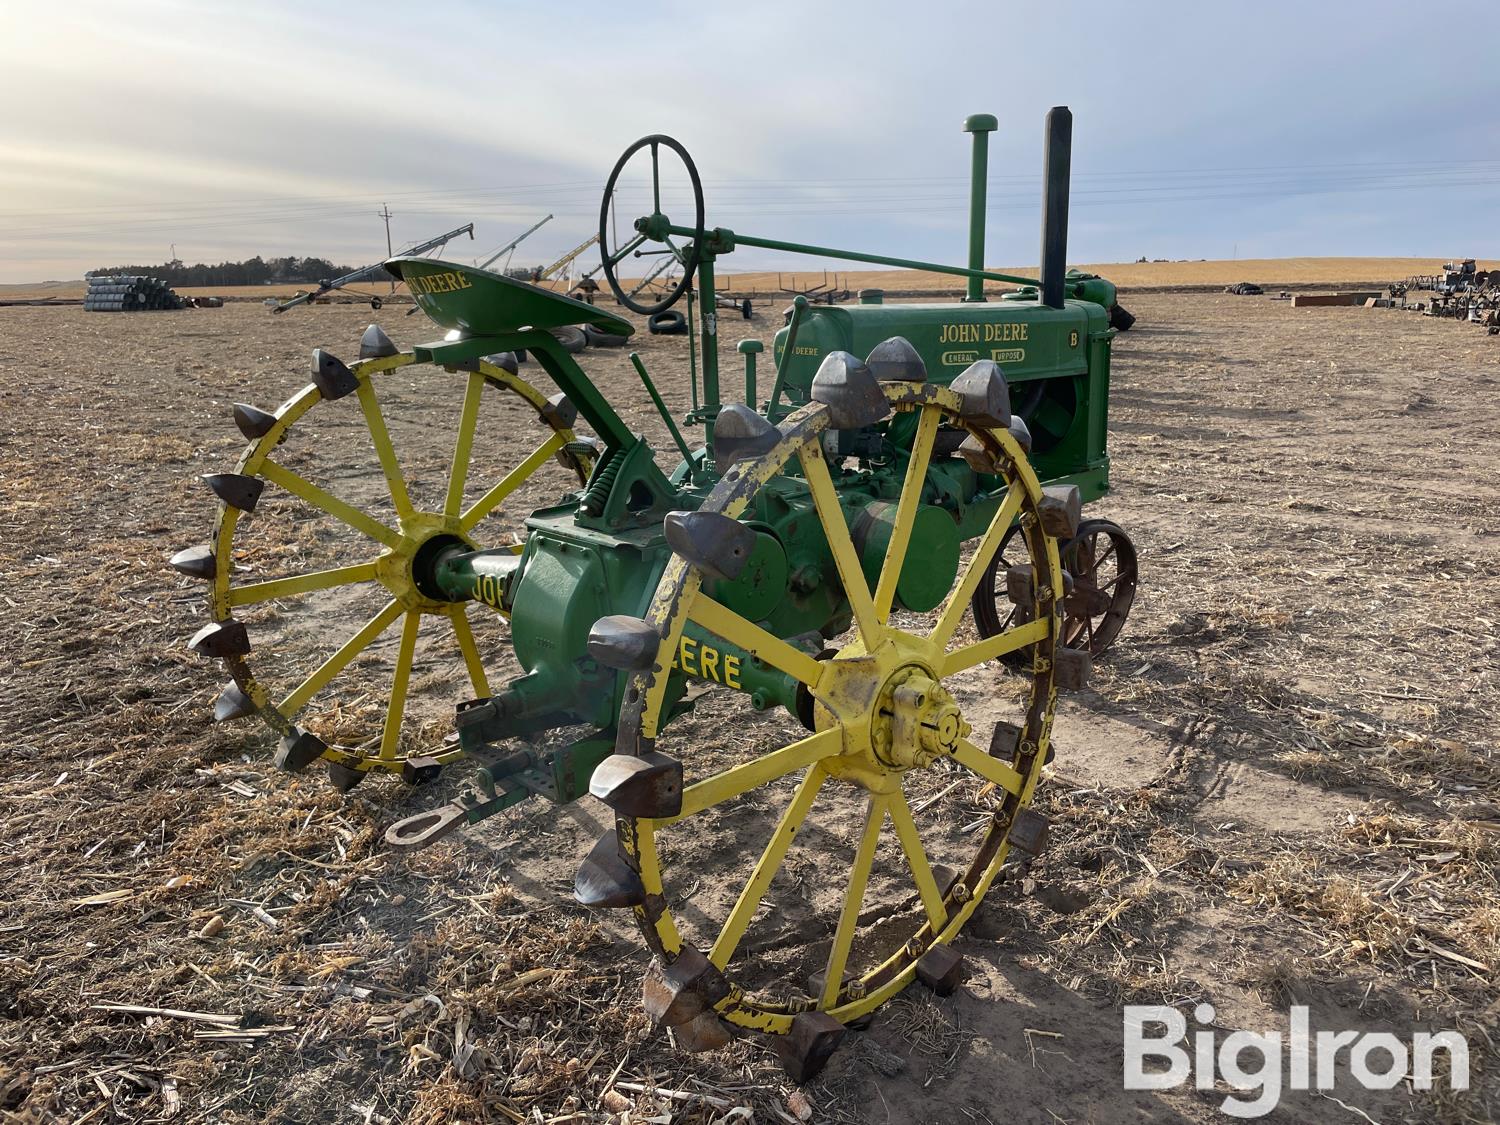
x,y
322,602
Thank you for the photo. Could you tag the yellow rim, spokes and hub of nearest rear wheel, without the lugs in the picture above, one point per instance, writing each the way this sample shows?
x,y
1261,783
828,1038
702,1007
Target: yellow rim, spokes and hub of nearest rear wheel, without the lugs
x,y
886,716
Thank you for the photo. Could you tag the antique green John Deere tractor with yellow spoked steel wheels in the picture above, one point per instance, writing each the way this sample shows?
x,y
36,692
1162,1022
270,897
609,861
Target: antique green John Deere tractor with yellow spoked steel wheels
x,y
802,581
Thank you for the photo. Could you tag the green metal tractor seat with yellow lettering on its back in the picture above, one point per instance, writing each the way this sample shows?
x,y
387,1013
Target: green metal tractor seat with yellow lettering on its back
x,y
482,304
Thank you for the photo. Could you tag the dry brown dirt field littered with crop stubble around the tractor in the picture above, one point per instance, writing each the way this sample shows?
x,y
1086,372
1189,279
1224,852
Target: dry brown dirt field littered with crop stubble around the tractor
x,y
1282,788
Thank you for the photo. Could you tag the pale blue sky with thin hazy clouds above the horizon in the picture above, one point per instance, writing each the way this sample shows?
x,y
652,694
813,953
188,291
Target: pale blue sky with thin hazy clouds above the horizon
x,y
1201,131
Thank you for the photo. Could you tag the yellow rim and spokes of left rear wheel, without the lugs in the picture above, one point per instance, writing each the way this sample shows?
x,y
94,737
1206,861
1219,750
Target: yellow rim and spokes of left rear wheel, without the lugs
x,y
337,695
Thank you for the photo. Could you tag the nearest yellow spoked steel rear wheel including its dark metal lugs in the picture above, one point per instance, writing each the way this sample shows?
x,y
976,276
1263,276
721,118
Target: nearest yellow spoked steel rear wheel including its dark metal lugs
x,y
853,905
